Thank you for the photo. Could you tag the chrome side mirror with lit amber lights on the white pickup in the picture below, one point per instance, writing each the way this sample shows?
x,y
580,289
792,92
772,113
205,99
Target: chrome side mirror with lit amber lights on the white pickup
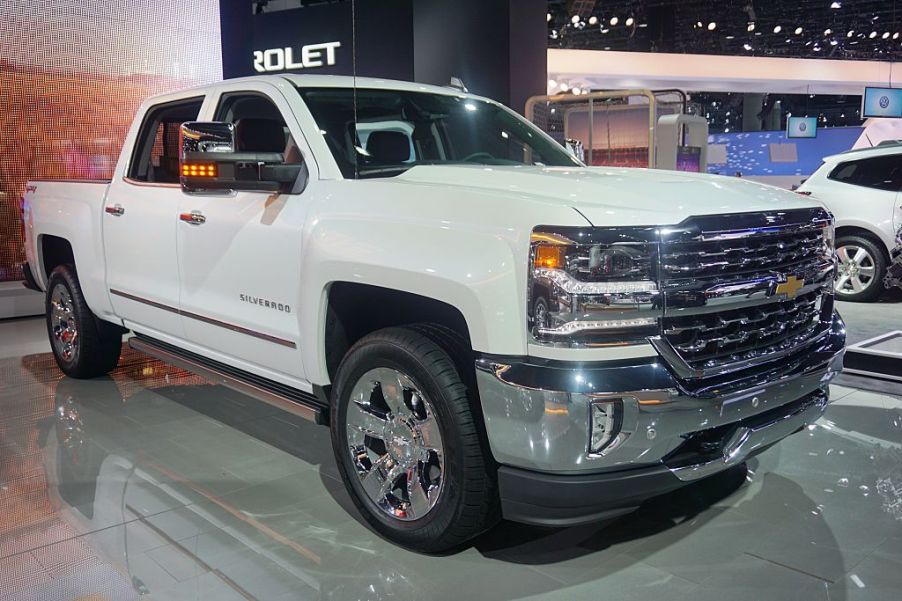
x,y
208,162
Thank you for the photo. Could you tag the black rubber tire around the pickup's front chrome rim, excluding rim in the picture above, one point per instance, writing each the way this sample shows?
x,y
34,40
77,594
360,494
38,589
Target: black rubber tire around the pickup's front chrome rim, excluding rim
x,y
467,503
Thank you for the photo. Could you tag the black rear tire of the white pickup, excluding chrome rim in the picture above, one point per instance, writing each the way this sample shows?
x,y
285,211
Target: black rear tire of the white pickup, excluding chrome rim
x,y
97,344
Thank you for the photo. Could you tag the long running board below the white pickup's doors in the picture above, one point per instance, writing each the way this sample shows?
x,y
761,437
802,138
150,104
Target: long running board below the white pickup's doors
x,y
290,400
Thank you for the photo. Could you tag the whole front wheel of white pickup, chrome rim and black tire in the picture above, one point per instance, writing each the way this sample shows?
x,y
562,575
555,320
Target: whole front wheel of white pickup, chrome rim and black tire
x,y
407,444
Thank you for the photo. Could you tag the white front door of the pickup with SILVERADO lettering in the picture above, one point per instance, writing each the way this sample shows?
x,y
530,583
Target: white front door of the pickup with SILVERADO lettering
x,y
239,251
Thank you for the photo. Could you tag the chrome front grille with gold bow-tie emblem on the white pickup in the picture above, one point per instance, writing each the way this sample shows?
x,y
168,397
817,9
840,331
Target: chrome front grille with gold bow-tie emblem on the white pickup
x,y
736,298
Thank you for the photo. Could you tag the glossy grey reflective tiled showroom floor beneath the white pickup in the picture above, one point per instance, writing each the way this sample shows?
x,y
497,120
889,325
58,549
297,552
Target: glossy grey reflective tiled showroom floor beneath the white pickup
x,y
153,483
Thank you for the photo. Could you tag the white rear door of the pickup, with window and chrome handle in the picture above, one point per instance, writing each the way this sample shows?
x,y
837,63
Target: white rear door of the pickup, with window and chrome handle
x,y
140,218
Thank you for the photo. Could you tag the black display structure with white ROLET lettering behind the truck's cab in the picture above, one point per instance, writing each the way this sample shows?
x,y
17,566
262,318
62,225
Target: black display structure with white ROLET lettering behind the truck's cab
x,y
498,48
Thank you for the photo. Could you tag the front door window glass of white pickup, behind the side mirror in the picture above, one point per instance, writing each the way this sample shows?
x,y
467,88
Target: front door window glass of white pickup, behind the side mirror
x,y
259,125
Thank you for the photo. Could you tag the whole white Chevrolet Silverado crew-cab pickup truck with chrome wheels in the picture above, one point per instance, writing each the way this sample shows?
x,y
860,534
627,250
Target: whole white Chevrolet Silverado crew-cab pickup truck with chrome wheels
x,y
489,328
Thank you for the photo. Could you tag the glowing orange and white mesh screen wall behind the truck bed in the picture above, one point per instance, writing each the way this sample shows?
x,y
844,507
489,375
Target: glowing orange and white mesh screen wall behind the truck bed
x,y
72,74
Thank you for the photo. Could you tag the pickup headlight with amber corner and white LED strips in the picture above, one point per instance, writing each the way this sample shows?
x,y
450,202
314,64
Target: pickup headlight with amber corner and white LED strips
x,y
593,285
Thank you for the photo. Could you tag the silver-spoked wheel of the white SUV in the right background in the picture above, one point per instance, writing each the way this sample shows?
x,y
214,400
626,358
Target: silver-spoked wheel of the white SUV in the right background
x,y
862,265
